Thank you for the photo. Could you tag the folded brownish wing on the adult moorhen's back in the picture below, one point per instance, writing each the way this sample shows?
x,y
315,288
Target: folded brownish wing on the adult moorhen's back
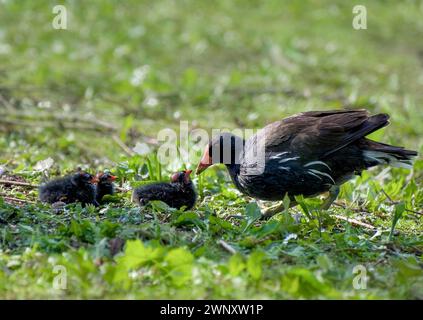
x,y
317,134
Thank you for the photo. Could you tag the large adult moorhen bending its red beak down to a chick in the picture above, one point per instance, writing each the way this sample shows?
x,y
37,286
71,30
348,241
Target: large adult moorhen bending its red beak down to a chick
x,y
306,154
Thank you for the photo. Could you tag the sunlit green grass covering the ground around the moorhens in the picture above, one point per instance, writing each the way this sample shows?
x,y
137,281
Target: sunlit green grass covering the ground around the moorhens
x,y
130,70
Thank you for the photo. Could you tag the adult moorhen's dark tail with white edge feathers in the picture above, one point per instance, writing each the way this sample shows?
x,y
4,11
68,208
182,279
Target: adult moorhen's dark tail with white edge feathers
x,y
380,153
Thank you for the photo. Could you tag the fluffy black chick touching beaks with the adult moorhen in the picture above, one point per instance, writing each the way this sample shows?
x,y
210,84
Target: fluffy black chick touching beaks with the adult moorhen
x,y
176,194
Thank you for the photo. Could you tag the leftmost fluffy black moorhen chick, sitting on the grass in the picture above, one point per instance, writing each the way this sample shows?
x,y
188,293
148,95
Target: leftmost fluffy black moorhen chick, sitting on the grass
x,y
78,187
